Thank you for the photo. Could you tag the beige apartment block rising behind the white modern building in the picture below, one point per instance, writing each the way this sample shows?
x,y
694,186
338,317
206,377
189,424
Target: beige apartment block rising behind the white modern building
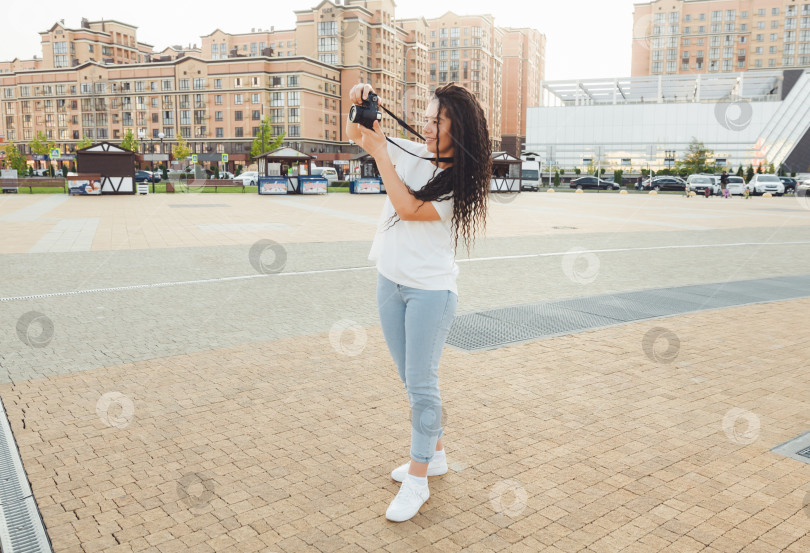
x,y
719,36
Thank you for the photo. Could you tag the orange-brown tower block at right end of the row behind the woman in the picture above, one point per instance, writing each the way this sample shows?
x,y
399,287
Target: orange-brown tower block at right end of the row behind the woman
x,y
524,62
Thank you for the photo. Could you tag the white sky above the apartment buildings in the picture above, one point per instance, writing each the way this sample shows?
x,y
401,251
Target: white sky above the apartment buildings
x,y
585,38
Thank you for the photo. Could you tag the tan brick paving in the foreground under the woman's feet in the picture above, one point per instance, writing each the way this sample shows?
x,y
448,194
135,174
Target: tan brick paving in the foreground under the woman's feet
x,y
576,443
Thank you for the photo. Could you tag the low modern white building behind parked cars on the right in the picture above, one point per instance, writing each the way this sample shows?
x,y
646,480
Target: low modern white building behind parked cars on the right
x,y
757,117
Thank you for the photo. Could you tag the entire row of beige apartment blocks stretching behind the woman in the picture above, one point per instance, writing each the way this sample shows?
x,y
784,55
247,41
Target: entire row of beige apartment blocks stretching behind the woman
x,y
98,81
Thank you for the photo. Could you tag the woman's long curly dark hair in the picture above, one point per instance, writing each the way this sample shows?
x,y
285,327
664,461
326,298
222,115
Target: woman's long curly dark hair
x,y
467,180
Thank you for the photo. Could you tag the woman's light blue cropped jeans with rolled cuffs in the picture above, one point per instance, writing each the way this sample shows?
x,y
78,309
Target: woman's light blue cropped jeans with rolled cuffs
x,y
415,324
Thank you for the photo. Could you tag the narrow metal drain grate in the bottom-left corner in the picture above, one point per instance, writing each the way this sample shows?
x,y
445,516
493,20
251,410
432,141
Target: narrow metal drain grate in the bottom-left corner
x,y
21,527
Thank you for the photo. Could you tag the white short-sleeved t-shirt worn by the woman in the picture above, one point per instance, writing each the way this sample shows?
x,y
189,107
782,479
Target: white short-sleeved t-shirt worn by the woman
x,y
419,254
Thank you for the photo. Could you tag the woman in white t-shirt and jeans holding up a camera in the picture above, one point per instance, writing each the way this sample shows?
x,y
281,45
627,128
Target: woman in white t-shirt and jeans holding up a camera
x,y
436,192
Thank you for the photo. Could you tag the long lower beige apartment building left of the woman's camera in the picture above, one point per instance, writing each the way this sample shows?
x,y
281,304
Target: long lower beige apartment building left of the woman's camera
x,y
215,105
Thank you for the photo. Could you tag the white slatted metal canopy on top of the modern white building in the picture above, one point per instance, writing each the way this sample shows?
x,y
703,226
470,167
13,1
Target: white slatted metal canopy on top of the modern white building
x,y
753,85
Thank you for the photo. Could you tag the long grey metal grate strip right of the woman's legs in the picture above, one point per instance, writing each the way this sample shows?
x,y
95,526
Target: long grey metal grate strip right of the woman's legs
x,y
495,328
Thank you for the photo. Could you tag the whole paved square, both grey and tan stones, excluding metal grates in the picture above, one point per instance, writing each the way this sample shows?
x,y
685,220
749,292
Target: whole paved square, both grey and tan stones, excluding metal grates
x,y
211,407
